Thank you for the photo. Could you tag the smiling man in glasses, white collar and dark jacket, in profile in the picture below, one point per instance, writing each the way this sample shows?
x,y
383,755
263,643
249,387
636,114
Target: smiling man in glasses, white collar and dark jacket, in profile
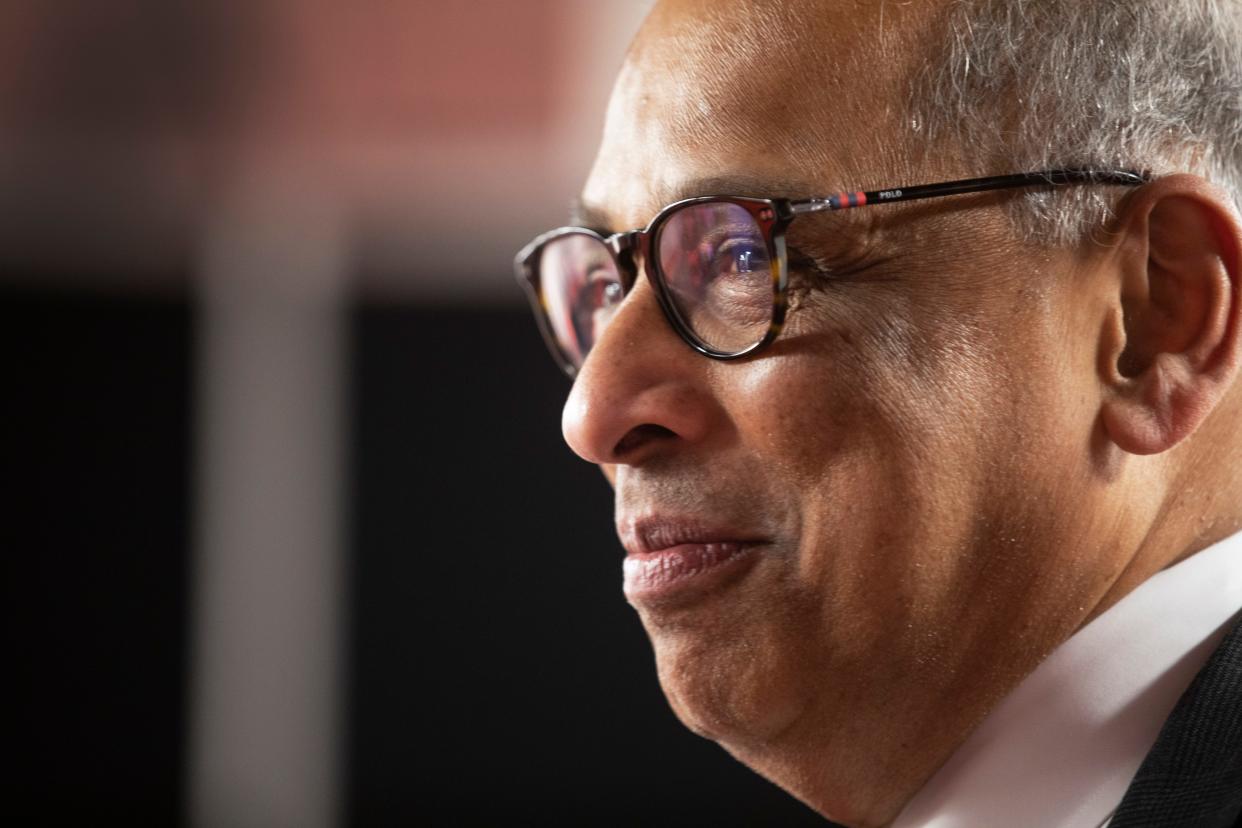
x,y
928,500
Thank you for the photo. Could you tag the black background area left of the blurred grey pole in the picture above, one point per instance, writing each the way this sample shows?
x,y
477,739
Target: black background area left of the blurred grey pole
x,y
95,539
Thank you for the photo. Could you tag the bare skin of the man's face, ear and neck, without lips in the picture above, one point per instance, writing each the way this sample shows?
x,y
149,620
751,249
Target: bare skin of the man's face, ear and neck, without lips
x,y
962,449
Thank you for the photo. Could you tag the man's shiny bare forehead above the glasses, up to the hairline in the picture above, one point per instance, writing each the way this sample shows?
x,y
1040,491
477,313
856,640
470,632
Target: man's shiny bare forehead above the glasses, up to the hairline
x,y
803,92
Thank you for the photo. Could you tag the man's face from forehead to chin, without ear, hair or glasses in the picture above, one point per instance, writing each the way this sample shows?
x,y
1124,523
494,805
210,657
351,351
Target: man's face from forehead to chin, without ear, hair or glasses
x,y
873,524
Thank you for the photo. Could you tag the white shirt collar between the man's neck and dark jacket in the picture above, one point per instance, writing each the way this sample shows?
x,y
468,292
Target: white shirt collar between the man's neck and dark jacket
x,y
1063,749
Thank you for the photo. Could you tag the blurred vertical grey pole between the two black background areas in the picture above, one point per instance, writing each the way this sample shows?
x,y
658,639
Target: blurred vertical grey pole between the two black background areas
x,y
268,593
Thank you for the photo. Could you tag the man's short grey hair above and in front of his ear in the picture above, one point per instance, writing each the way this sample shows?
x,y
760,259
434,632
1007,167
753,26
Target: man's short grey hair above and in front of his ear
x,y
1030,85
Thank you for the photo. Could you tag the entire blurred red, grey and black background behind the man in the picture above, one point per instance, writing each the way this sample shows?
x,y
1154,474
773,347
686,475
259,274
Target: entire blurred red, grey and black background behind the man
x,y
291,537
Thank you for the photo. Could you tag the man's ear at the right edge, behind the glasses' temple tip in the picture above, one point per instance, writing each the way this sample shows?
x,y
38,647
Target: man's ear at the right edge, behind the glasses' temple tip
x,y
1174,347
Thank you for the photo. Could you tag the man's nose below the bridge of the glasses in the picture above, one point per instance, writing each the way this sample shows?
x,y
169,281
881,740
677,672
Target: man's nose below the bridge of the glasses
x,y
641,392
